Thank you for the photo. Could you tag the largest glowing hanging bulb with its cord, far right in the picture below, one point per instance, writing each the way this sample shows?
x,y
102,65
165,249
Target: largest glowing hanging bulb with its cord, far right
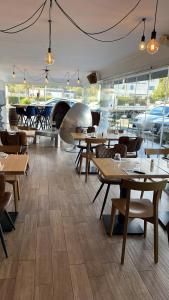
x,y
153,45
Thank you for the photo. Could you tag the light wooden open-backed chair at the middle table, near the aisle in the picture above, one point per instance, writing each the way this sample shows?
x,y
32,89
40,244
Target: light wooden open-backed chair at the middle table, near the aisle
x,y
88,155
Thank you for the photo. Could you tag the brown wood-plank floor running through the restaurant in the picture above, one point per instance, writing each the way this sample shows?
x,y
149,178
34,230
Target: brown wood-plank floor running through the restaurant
x,y
59,249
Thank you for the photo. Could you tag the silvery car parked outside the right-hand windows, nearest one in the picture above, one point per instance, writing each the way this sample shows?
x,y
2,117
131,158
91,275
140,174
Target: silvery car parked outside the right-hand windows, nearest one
x,y
147,120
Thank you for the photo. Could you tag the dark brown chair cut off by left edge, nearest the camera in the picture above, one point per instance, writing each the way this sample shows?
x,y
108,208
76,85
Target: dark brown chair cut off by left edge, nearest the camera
x,y
5,198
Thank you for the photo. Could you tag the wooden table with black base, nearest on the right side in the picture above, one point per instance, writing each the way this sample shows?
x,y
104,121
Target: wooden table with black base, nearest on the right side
x,y
123,169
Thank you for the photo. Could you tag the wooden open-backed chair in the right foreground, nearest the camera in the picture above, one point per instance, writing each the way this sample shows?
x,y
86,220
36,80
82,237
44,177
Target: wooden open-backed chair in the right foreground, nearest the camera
x,y
144,209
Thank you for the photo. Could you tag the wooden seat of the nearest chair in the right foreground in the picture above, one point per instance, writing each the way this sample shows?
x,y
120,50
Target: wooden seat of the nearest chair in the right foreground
x,y
139,208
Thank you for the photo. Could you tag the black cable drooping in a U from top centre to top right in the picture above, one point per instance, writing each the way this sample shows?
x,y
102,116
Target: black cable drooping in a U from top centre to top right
x,y
99,32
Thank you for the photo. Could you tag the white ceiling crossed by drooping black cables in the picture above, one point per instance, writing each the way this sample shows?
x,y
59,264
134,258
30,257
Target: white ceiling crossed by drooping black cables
x,y
71,48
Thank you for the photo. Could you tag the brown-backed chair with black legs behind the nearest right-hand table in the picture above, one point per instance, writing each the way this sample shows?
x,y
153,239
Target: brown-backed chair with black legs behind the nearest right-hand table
x,y
103,152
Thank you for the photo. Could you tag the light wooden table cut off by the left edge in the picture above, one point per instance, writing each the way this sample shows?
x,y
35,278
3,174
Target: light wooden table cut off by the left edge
x,y
13,165
